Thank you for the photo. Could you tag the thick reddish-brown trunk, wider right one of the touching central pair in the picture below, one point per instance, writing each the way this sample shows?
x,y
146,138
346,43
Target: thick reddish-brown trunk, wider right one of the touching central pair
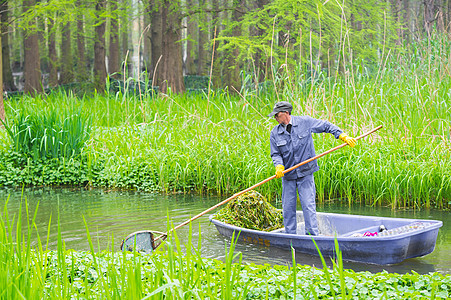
x,y
171,74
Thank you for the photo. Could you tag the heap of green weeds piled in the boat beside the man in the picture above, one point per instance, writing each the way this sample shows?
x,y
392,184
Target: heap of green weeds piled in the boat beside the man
x,y
251,210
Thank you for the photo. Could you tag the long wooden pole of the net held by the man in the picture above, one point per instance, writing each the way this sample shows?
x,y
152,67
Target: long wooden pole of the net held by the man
x,y
264,181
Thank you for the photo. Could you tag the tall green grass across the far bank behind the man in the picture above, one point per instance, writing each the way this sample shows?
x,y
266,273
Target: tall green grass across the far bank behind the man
x,y
219,143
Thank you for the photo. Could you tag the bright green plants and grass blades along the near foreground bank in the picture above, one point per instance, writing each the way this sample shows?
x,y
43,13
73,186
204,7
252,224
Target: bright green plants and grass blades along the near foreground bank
x,y
33,272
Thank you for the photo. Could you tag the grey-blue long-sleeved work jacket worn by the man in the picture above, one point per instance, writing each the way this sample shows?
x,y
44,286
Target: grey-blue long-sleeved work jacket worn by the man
x,y
290,149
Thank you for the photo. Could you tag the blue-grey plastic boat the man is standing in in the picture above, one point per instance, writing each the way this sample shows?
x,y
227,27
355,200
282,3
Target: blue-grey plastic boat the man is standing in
x,y
365,239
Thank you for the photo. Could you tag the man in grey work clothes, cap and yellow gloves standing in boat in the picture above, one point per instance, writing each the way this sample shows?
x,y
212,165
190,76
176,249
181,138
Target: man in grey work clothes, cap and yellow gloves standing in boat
x,y
291,143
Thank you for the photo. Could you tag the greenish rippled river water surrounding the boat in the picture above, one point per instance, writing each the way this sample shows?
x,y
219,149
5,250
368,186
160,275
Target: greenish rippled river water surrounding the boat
x,y
112,215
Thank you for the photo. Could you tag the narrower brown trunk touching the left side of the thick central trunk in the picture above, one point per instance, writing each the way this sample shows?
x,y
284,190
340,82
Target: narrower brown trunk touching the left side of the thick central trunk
x,y
155,38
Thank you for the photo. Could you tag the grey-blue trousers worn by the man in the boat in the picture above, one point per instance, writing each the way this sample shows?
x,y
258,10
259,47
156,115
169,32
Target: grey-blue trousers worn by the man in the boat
x,y
307,192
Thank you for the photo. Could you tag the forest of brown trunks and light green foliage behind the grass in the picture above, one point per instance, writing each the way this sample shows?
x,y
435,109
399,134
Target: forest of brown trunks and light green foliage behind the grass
x,y
80,40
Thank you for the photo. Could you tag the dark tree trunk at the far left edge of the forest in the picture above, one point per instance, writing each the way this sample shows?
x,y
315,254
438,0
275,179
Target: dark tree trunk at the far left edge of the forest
x,y
8,79
